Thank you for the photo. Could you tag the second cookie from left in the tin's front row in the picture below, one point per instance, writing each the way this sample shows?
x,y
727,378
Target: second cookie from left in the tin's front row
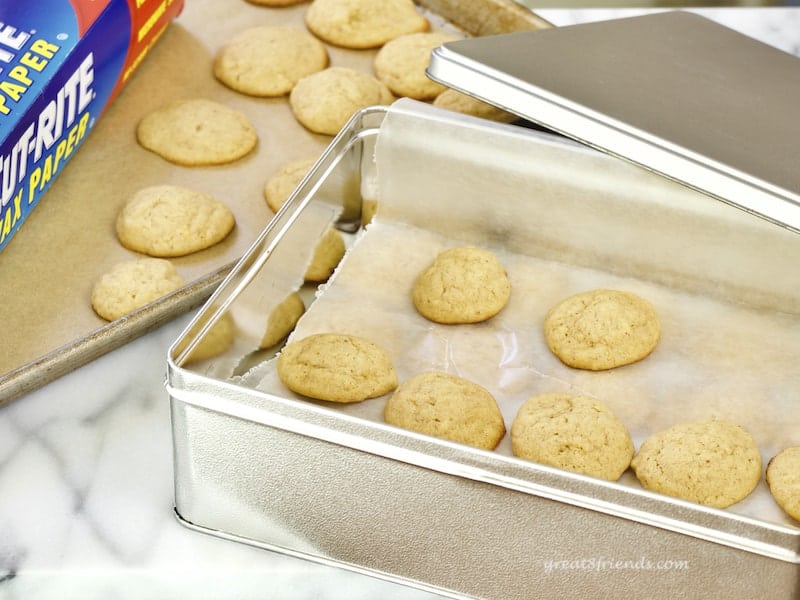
x,y
449,407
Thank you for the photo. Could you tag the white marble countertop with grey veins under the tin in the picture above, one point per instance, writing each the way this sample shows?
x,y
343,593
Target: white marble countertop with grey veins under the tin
x,y
86,488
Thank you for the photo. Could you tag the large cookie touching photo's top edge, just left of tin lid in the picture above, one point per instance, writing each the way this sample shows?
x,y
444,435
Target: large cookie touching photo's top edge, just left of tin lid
x,y
363,24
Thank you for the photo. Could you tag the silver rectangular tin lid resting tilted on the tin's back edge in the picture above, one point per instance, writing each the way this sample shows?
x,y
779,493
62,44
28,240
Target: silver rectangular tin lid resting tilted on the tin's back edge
x,y
673,92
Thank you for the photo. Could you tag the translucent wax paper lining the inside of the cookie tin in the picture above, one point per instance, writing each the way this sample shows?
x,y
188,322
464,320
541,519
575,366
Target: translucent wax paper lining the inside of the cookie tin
x,y
730,335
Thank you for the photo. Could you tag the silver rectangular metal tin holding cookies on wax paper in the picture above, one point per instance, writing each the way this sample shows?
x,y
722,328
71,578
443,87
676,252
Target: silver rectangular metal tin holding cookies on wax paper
x,y
322,484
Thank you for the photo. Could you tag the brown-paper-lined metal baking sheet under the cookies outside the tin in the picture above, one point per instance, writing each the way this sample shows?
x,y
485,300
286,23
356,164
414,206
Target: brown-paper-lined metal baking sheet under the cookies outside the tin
x,y
69,241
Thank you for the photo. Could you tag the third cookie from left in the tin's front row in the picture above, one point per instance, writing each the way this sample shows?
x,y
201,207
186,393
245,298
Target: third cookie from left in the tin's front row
x,y
574,433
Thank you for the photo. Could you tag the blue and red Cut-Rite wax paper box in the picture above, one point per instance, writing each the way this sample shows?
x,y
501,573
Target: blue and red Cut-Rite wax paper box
x,y
62,62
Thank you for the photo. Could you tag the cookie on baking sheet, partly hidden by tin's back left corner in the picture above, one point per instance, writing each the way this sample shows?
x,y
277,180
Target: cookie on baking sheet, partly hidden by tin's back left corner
x,y
323,102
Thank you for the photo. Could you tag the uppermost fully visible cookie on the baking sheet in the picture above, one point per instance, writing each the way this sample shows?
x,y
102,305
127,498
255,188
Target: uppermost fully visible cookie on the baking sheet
x,y
267,61
